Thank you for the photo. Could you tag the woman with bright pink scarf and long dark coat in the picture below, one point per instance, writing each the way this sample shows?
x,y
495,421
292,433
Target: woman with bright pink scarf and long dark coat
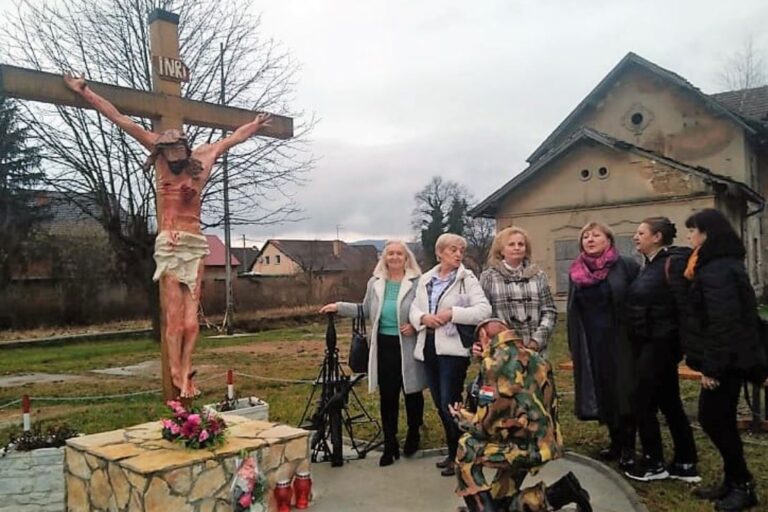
x,y
602,355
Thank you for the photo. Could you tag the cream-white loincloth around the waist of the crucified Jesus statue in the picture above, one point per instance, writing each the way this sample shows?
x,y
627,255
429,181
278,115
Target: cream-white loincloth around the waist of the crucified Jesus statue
x,y
180,254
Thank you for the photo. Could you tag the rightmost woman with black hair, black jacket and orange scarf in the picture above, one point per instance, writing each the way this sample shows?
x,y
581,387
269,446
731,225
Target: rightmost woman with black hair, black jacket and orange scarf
x,y
720,340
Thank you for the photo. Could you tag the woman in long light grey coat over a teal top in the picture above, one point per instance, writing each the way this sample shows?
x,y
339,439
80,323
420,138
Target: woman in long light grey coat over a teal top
x,y
391,365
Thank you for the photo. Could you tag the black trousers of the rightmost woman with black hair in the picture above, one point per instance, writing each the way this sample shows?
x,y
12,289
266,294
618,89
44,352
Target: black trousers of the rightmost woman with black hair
x,y
717,415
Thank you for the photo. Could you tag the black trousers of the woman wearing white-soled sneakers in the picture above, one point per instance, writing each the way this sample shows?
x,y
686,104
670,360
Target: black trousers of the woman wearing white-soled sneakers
x,y
658,389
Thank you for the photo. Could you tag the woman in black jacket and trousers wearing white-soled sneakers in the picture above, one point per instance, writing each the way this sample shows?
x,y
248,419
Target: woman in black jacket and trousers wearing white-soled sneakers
x,y
652,324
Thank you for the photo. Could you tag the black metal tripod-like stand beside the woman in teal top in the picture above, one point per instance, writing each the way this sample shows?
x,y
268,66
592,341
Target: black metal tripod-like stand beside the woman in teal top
x,y
337,409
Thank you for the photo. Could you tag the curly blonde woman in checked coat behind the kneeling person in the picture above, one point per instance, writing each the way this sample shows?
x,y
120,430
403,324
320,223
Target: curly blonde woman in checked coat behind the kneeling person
x,y
518,290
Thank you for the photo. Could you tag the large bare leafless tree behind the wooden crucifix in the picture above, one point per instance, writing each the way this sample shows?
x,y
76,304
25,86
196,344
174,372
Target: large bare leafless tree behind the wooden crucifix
x,y
108,41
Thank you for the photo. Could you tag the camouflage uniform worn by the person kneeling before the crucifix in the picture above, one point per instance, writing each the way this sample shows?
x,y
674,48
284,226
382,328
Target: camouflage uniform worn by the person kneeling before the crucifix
x,y
515,428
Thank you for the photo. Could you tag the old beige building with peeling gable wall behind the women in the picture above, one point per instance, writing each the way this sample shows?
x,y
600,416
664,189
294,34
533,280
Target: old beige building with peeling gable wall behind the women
x,y
644,142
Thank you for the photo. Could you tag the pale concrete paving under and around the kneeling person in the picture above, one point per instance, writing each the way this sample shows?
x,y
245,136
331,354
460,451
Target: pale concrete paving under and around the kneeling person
x,y
415,484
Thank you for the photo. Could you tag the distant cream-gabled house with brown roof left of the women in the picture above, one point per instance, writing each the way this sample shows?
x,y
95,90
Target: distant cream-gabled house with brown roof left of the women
x,y
290,257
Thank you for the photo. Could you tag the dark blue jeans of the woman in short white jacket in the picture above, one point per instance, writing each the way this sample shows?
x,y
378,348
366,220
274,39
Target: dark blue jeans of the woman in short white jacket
x,y
445,378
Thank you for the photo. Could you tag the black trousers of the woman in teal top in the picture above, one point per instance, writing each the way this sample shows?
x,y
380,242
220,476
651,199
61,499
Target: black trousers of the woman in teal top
x,y
390,383
